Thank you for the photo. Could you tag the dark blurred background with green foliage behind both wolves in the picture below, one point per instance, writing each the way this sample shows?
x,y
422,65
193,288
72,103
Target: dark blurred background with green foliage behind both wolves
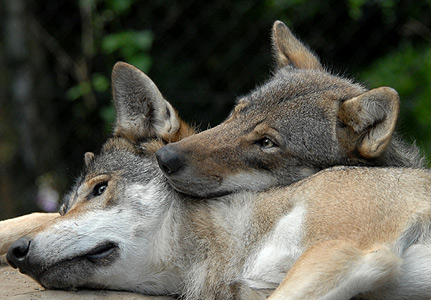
x,y
56,57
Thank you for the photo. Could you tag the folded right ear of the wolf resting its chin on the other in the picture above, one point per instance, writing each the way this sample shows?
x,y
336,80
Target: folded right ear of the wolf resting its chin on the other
x,y
372,116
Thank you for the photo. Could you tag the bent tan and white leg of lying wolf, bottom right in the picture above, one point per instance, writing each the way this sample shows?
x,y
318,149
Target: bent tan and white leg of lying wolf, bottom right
x,y
337,270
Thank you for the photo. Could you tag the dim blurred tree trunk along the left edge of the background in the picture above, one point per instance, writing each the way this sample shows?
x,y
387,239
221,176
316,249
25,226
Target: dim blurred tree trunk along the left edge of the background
x,y
28,144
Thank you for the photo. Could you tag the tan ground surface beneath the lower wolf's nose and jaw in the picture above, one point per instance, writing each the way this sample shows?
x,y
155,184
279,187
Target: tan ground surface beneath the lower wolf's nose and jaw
x,y
16,286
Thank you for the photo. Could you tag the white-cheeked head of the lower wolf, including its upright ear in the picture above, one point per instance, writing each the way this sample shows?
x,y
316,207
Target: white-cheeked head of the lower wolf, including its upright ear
x,y
112,216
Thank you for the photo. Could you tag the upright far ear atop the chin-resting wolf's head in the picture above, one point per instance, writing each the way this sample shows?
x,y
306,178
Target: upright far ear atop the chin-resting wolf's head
x,y
290,51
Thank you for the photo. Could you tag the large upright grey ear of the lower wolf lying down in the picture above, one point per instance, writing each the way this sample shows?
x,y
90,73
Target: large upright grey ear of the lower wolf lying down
x,y
142,112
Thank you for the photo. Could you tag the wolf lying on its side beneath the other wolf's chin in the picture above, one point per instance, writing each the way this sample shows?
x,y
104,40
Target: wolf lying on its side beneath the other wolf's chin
x,y
341,233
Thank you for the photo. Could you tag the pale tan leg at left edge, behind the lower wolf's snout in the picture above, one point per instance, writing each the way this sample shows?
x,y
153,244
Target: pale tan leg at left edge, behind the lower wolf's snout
x,y
13,229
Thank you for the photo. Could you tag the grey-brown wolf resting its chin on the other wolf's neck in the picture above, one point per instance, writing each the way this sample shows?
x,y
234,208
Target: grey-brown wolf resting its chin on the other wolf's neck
x,y
303,120
